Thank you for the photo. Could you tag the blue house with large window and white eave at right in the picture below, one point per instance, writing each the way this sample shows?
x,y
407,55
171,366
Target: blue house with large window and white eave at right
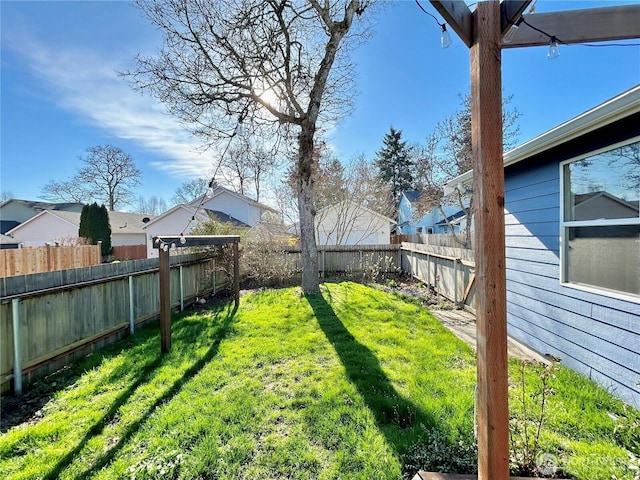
x,y
572,228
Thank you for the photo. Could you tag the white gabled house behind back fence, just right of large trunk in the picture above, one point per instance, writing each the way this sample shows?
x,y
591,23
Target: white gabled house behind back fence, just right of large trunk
x,y
348,223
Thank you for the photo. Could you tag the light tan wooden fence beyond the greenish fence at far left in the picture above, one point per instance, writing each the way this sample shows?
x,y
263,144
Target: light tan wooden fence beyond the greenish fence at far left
x,y
28,260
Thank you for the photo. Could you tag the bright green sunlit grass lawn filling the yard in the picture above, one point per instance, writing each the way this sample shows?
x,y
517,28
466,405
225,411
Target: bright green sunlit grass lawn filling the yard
x,y
351,384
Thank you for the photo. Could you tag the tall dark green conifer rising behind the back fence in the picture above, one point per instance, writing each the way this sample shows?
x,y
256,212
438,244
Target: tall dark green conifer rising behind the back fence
x,y
395,164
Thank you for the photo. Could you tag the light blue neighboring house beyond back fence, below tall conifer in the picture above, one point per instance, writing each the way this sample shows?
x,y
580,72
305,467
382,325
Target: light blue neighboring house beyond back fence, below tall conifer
x,y
431,222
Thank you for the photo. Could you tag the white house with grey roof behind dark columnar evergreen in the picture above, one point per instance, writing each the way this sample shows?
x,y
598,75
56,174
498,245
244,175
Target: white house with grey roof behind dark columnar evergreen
x,y
50,227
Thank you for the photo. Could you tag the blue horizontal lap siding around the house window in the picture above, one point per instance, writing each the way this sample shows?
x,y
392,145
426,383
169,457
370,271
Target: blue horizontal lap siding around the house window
x,y
594,334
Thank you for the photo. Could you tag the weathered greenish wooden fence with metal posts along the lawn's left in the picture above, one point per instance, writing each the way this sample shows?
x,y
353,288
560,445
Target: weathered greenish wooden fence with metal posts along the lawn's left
x,y
50,319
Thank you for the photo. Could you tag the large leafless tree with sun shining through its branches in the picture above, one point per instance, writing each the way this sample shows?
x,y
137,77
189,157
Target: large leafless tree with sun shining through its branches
x,y
278,66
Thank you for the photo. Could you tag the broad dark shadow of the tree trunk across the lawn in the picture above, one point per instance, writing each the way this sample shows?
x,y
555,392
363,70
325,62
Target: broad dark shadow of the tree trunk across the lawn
x,y
401,422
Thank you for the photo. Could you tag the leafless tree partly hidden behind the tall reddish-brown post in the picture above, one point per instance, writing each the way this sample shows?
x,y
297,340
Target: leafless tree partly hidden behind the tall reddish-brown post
x,y
447,154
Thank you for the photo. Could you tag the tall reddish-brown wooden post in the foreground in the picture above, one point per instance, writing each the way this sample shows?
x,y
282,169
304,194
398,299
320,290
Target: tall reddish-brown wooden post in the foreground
x,y
488,191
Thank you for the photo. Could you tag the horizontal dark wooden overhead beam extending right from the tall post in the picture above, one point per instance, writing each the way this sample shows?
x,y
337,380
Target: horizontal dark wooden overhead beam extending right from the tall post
x,y
579,26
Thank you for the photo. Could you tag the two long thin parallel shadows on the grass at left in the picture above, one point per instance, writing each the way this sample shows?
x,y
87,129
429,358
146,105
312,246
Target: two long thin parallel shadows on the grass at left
x,y
145,374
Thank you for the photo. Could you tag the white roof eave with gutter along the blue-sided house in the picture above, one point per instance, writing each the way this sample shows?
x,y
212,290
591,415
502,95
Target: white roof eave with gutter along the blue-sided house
x,y
617,108
